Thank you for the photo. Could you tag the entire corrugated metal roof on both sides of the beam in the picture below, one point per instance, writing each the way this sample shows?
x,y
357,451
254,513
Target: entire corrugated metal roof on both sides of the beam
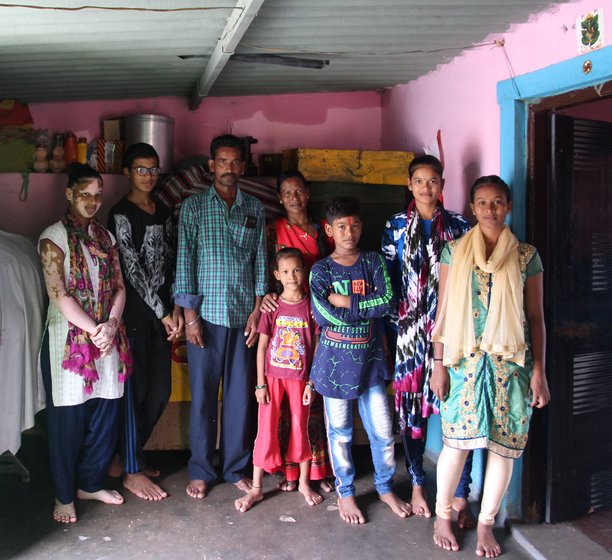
x,y
56,54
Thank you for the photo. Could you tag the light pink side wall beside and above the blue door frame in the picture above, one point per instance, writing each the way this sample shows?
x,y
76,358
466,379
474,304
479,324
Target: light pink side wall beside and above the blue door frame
x,y
460,97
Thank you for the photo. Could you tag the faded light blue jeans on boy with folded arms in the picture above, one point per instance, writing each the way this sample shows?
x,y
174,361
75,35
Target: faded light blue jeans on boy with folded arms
x,y
374,412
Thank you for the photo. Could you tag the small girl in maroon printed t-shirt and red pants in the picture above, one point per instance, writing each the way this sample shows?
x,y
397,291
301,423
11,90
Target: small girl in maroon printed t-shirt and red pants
x,y
287,339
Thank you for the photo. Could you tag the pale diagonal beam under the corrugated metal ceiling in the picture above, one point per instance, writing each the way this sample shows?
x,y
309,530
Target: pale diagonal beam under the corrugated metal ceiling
x,y
237,24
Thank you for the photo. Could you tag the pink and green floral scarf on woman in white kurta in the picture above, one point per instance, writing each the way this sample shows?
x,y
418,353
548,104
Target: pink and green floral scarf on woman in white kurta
x,y
80,352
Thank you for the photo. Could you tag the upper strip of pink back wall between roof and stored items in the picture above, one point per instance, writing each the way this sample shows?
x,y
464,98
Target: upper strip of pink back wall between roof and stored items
x,y
333,120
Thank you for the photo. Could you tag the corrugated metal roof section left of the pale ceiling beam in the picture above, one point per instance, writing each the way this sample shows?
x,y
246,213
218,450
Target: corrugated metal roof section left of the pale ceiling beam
x,y
51,55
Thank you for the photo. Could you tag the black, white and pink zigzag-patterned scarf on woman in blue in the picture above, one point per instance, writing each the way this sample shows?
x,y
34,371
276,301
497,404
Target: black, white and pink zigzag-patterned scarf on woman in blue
x,y
414,401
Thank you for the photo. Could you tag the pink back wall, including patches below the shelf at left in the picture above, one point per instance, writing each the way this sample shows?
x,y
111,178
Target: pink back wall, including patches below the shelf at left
x,y
342,120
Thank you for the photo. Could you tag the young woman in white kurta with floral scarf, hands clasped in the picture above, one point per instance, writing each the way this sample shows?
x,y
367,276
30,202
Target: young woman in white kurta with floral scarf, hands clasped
x,y
85,355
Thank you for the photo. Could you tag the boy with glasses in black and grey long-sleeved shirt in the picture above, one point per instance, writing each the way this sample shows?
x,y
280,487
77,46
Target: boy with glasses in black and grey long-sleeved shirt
x,y
146,241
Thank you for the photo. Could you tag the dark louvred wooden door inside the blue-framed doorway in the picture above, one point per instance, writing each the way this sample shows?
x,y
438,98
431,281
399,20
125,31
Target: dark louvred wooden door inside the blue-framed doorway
x,y
578,286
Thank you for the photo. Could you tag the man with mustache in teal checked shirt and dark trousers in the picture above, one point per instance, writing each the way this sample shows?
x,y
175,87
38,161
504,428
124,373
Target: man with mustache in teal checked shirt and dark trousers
x,y
221,277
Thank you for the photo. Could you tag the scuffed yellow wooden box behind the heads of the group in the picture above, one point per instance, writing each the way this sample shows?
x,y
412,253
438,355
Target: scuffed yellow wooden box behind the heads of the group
x,y
374,167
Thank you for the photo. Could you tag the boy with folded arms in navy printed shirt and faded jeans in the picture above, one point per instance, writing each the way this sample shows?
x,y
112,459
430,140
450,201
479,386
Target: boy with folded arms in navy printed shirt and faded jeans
x,y
350,293
